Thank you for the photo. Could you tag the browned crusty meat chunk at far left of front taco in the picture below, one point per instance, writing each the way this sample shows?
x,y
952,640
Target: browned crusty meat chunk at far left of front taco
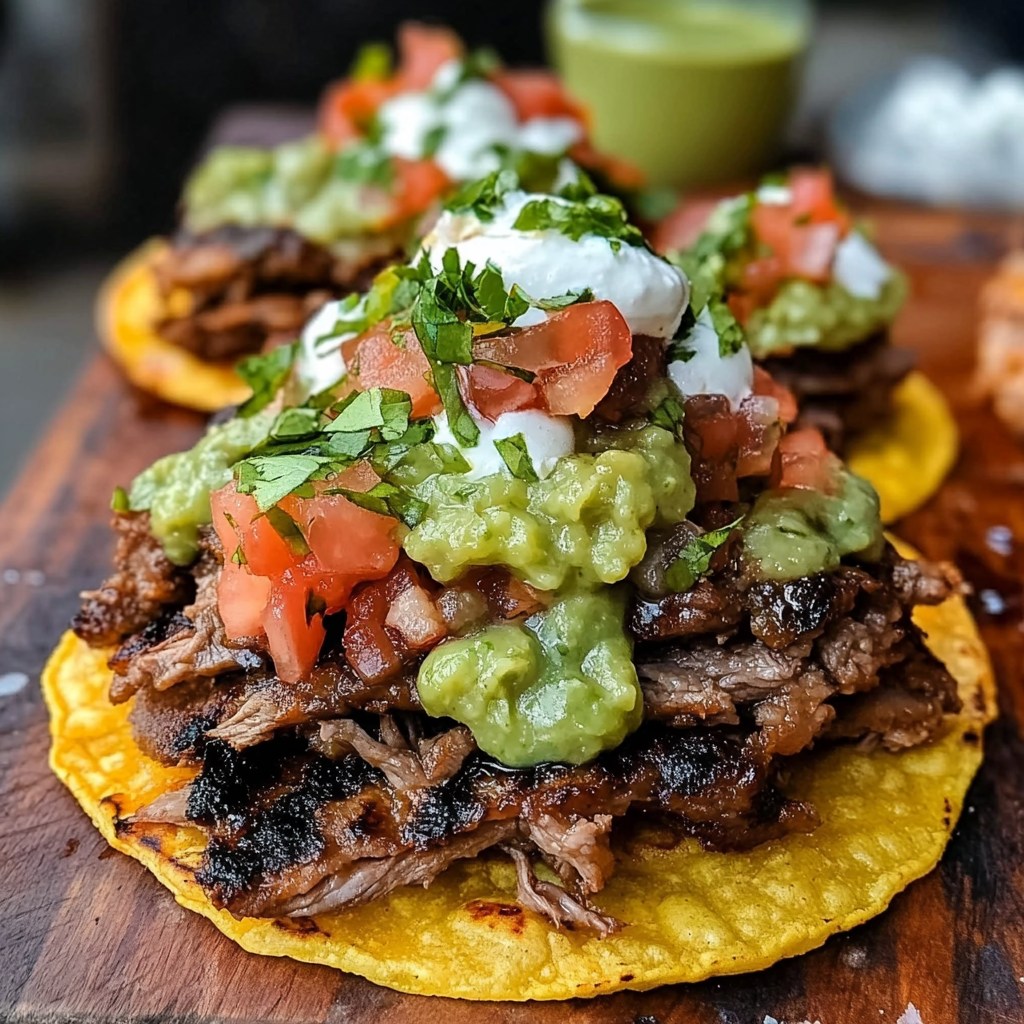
x,y
145,586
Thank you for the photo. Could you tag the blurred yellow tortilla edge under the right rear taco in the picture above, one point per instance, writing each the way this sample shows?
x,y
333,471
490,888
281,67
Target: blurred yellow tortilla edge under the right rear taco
x,y
909,457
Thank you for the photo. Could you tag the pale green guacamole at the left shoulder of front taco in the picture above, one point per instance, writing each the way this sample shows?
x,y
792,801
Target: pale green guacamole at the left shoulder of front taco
x,y
177,490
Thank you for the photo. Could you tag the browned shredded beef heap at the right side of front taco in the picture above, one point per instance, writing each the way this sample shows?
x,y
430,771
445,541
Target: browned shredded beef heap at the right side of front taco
x,y
850,645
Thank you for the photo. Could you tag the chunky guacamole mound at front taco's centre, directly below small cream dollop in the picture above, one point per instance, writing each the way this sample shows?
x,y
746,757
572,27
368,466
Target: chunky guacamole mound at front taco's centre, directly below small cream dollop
x,y
587,520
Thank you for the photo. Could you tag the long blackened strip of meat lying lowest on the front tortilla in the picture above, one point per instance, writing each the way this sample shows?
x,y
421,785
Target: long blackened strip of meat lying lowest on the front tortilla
x,y
290,828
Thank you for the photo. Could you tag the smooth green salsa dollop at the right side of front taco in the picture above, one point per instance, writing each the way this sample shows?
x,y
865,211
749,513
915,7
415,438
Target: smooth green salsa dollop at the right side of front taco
x,y
795,533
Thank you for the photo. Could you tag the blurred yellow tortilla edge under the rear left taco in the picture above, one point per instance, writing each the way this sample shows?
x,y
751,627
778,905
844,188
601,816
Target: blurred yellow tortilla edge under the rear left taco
x,y
129,307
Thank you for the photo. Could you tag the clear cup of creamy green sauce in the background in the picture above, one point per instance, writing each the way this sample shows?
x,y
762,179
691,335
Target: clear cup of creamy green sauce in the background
x,y
692,92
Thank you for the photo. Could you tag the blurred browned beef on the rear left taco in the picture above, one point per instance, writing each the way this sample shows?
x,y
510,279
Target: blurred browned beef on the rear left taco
x,y
250,288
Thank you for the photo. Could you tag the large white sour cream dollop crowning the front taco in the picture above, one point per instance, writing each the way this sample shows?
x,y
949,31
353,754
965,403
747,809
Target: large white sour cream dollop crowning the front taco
x,y
650,293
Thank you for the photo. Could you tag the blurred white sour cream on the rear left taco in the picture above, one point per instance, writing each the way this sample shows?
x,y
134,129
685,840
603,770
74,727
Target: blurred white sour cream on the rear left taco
x,y
472,119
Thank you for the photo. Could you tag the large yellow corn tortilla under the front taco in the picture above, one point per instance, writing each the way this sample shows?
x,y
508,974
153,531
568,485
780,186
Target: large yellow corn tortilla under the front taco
x,y
691,914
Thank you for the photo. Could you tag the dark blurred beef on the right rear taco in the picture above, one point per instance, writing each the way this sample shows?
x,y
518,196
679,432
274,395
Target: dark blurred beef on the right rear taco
x,y
843,394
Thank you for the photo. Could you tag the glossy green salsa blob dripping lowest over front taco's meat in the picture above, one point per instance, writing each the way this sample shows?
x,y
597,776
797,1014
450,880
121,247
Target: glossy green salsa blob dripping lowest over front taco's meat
x,y
562,688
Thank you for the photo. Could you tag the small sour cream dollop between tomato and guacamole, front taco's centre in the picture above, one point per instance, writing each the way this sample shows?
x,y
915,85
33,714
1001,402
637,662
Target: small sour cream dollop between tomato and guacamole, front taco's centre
x,y
548,439
